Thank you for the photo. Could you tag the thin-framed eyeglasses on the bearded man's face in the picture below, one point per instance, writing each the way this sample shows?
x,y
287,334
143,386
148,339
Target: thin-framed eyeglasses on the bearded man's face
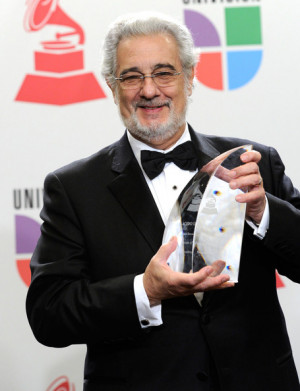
x,y
132,81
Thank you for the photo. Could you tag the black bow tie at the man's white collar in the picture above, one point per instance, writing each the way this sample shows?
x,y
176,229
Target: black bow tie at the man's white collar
x,y
184,156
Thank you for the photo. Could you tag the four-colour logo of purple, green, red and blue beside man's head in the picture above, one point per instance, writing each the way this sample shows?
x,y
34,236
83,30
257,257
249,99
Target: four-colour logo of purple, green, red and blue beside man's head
x,y
232,61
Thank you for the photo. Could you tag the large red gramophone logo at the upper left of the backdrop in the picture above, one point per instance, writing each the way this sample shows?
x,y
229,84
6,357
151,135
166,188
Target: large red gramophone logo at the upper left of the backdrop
x,y
59,77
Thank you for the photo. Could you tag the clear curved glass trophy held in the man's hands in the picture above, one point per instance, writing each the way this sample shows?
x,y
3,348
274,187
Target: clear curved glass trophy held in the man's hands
x,y
207,220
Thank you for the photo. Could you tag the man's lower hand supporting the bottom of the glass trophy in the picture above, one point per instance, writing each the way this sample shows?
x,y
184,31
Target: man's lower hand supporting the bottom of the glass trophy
x,y
161,282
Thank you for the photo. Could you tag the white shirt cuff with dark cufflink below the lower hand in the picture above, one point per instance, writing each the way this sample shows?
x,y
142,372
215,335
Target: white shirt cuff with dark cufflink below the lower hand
x,y
148,316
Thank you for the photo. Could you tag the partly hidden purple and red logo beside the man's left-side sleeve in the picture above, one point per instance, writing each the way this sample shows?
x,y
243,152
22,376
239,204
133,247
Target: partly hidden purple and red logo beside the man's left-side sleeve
x,y
27,235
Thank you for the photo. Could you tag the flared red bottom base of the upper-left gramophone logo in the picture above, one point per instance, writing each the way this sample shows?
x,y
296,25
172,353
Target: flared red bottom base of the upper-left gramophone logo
x,y
60,90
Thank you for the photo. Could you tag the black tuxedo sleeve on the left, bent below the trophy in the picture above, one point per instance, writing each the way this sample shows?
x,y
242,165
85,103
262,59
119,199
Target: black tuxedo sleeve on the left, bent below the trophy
x,y
64,305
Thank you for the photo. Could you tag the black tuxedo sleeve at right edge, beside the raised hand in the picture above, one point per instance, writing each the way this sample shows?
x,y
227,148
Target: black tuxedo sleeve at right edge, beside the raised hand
x,y
282,238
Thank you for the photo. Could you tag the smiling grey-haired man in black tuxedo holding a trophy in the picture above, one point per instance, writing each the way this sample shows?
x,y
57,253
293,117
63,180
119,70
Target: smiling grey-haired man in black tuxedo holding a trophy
x,y
100,275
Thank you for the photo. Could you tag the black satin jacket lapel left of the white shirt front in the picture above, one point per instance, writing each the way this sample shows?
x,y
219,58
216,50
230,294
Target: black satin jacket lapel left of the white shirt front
x,y
133,193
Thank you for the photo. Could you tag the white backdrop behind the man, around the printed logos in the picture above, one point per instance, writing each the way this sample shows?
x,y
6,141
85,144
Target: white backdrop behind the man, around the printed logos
x,y
38,138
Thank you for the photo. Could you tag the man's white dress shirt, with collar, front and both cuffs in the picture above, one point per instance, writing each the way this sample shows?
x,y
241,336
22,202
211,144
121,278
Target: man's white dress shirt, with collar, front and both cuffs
x,y
165,189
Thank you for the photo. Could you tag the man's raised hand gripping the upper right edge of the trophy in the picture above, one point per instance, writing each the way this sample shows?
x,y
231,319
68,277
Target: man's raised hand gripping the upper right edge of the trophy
x,y
248,175
